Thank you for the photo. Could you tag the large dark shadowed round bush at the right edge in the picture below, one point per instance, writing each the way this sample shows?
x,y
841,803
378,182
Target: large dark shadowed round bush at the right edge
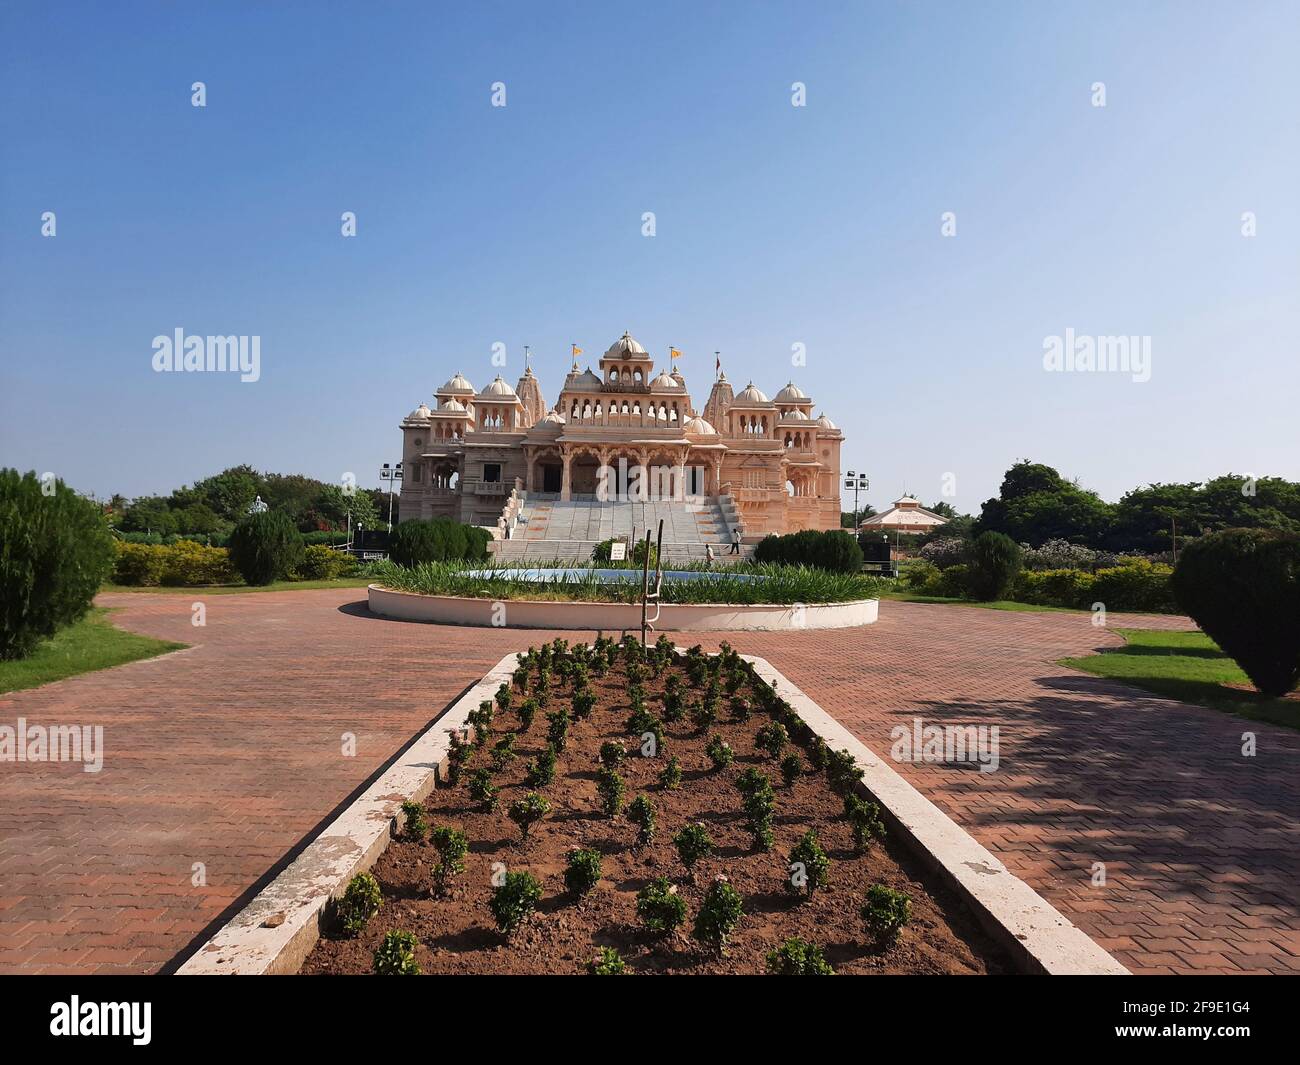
x,y
1242,587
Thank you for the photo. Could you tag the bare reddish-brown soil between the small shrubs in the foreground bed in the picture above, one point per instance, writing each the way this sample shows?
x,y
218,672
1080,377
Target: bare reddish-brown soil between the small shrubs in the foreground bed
x,y
457,933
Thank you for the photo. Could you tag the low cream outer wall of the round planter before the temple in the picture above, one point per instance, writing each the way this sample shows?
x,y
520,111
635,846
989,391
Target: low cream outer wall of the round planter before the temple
x,y
457,611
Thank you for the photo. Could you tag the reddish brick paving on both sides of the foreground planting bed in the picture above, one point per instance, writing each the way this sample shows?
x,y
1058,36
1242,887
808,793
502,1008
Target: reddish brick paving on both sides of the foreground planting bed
x,y
229,755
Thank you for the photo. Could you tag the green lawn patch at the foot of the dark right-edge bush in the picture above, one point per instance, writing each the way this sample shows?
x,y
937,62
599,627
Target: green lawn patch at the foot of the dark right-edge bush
x,y
1186,666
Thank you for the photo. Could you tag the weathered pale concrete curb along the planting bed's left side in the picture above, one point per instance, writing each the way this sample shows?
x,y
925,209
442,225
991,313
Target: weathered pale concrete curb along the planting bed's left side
x,y
279,929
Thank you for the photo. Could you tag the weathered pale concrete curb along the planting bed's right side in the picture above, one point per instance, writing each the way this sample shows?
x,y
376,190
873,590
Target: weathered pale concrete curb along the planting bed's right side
x,y
1038,936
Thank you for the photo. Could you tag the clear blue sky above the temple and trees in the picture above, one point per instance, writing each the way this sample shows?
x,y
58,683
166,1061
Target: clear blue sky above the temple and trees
x,y
775,226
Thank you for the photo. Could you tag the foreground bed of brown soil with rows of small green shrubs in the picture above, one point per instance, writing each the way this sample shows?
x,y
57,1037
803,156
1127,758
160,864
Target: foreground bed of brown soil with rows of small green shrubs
x,y
593,781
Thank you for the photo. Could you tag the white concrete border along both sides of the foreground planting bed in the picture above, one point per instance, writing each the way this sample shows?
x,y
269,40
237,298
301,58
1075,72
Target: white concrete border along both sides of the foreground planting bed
x,y
279,929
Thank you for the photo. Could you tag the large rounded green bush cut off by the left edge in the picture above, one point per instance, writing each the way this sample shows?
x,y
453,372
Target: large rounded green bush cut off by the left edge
x,y
55,552
